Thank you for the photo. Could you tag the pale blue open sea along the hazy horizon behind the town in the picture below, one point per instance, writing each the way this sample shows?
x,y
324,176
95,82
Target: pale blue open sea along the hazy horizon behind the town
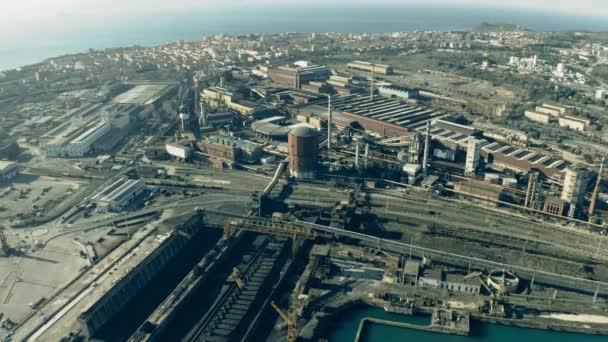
x,y
24,47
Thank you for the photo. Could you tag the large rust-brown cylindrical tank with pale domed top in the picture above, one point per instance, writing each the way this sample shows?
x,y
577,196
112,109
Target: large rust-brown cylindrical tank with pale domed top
x,y
303,149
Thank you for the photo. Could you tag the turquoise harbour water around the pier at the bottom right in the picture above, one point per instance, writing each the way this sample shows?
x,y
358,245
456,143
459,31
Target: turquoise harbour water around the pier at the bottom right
x,y
346,326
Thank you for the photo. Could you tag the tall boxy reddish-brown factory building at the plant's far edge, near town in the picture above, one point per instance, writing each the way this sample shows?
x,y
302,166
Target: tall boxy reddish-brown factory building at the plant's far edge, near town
x,y
294,76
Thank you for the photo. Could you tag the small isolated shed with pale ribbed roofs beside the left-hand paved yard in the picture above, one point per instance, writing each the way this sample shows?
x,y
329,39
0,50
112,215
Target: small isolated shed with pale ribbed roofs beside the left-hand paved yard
x,y
118,195
